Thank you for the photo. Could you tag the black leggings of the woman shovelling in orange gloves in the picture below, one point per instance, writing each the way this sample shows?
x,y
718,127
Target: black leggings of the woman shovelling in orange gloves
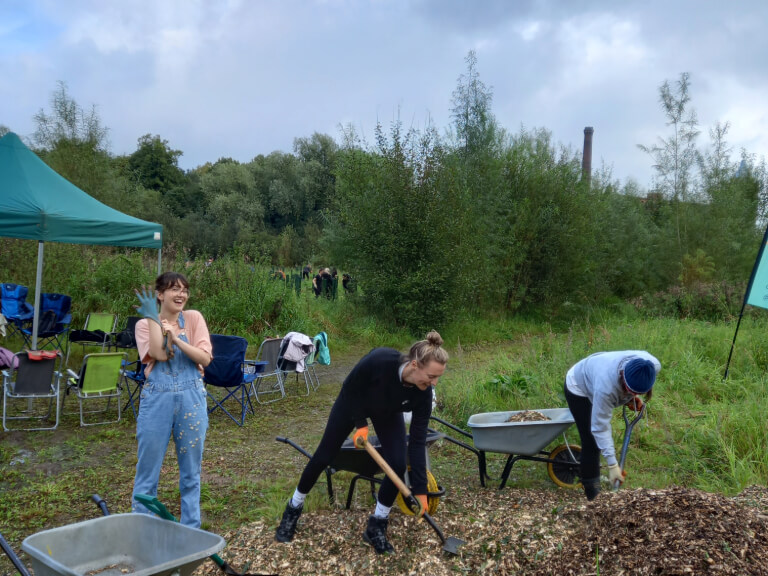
x,y
390,430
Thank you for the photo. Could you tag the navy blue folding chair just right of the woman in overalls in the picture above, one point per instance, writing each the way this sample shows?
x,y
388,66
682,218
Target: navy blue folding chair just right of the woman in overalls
x,y
230,371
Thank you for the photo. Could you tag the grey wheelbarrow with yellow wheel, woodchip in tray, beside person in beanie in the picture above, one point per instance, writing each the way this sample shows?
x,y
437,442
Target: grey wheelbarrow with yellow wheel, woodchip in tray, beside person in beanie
x,y
522,435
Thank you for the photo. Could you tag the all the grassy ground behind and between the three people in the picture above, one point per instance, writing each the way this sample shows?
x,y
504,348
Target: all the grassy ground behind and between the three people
x,y
700,432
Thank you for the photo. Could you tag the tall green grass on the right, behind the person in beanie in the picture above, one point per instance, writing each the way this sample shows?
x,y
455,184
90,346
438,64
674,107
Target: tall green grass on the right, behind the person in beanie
x,y
701,430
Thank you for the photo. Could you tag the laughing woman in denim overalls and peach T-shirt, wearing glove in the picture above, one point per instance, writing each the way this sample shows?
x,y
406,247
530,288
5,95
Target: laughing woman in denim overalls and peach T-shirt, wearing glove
x,y
175,345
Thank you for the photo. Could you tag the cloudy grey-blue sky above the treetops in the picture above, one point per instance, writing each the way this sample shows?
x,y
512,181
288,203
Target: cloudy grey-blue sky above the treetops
x,y
238,78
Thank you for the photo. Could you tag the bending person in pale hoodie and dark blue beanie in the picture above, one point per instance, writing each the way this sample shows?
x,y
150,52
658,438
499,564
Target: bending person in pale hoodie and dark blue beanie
x,y
595,386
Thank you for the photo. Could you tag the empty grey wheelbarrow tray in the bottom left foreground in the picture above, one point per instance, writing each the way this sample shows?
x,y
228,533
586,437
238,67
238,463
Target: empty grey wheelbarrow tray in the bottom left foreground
x,y
121,544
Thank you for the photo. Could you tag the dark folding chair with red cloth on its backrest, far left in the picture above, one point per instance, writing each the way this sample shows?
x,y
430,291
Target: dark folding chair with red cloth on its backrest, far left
x,y
34,378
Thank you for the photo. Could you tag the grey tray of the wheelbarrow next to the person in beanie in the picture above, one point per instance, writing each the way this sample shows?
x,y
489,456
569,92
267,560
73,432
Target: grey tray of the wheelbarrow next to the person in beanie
x,y
492,433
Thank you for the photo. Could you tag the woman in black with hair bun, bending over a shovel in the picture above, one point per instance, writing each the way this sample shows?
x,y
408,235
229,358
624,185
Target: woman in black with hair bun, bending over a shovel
x,y
382,386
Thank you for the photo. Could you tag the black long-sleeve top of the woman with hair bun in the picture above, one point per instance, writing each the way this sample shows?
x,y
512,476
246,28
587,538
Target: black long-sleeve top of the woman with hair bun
x,y
373,388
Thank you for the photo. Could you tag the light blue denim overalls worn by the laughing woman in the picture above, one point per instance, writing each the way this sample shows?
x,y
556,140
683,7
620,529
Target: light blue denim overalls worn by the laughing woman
x,y
173,402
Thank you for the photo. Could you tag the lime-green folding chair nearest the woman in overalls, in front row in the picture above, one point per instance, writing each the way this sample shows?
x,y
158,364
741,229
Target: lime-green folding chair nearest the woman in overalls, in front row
x,y
99,379
